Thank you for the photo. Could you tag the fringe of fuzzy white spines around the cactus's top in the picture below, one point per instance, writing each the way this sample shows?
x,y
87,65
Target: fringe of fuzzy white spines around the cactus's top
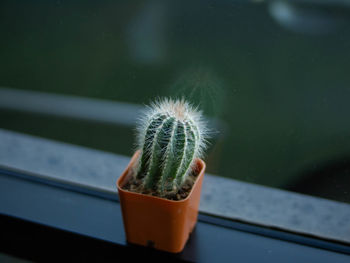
x,y
182,110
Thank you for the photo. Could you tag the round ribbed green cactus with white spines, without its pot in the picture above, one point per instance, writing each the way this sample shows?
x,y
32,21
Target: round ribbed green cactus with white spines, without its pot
x,y
171,135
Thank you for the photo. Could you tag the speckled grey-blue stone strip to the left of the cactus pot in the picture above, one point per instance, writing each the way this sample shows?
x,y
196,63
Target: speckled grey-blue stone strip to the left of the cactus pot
x,y
60,160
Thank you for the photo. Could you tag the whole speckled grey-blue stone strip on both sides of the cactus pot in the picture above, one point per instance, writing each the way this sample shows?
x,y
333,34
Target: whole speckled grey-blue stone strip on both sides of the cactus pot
x,y
220,196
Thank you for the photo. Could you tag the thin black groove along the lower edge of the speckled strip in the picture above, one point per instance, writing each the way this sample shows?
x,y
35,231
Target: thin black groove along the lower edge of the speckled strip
x,y
231,223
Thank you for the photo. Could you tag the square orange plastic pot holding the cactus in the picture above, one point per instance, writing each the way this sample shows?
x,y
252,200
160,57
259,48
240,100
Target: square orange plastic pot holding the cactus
x,y
153,221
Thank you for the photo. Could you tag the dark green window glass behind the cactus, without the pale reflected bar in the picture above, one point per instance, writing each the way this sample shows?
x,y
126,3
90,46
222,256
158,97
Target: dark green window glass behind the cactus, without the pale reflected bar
x,y
271,76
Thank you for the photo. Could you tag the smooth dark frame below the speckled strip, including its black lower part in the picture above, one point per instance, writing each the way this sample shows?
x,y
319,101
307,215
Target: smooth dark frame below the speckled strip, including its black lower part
x,y
50,218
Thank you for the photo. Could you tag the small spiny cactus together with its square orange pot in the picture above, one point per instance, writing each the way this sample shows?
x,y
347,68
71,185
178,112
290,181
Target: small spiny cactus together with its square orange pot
x,y
160,189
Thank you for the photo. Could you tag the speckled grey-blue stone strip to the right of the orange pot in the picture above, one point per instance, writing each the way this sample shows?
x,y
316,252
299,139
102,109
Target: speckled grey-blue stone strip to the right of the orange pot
x,y
274,207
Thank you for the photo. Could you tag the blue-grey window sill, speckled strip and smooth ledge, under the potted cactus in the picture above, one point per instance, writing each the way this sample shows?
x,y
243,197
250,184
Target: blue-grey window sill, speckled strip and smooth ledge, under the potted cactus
x,y
80,184
